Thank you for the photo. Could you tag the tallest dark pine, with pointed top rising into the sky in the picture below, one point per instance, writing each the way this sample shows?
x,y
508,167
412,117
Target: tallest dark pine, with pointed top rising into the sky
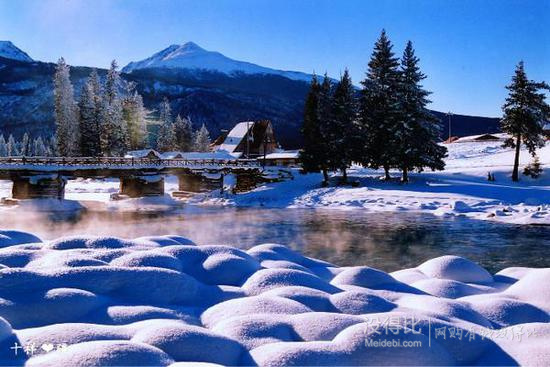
x,y
379,107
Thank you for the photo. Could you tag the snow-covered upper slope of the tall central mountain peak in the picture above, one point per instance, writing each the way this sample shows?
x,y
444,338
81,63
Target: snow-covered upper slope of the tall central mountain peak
x,y
192,56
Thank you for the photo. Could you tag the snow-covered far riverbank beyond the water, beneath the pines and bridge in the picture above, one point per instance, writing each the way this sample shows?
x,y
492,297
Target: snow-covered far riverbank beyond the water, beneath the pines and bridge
x,y
462,189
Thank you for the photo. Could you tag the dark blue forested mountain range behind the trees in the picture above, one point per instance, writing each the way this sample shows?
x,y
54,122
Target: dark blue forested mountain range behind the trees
x,y
219,98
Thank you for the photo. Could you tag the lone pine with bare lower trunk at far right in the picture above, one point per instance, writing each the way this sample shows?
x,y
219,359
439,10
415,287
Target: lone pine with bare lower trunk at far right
x,y
525,110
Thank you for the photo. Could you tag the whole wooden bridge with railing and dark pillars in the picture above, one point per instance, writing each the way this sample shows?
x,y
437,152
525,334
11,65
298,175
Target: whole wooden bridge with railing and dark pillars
x,y
45,177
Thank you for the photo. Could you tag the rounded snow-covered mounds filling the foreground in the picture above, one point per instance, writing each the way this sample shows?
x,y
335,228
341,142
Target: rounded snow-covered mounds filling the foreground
x,y
164,301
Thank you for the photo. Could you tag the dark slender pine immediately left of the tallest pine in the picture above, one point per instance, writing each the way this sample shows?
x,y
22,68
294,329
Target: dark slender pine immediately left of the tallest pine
x,y
343,131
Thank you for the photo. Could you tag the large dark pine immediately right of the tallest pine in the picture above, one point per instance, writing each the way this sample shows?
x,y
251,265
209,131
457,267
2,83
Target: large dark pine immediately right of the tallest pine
x,y
417,132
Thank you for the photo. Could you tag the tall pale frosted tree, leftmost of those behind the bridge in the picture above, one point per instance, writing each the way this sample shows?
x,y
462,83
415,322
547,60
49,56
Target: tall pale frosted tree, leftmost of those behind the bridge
x,y
66,112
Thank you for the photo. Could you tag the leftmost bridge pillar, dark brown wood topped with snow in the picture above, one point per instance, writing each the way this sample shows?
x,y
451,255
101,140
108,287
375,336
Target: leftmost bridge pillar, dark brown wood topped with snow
x,y
43,186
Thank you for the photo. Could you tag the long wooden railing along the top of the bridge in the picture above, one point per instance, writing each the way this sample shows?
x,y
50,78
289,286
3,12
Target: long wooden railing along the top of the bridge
x,y
109,162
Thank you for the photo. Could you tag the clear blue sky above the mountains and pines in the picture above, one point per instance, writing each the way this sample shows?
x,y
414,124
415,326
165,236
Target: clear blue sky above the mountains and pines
x,y
468,48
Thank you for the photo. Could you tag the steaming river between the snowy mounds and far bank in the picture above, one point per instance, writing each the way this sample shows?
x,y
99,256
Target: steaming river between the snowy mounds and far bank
x,y
389,241
